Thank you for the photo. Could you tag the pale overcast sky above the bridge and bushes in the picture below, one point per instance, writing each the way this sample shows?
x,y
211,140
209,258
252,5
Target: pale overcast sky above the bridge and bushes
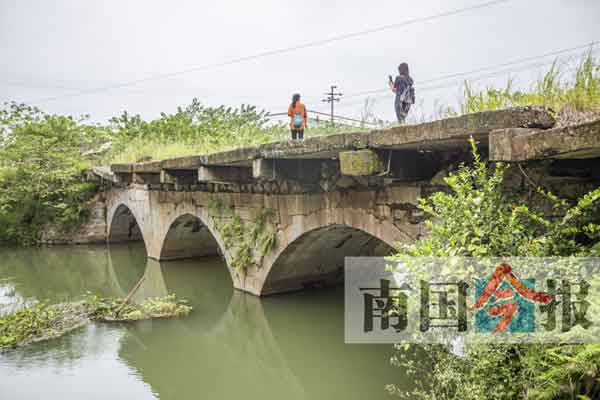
x,y
51,50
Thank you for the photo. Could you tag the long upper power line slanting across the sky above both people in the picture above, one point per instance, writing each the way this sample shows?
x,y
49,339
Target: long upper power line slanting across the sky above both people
x,y
276,51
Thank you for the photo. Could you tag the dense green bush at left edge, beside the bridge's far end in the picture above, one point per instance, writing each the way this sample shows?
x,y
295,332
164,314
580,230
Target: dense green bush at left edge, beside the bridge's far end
x,y
40,171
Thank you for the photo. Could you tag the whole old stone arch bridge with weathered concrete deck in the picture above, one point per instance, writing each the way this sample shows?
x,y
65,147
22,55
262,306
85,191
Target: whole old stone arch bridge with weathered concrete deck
x,y
284,215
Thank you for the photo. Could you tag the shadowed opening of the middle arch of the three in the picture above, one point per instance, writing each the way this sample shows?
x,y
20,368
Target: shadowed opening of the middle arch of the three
x,y
188,237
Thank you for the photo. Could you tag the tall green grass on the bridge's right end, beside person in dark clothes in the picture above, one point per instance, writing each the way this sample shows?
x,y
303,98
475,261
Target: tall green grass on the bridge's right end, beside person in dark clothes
x,y
556,89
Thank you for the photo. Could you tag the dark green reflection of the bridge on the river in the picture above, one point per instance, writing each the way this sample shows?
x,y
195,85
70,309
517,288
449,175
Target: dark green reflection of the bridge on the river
x,y
238,345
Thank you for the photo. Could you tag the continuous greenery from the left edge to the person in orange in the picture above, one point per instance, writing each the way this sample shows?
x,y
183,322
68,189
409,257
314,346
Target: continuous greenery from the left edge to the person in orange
x,y
42,156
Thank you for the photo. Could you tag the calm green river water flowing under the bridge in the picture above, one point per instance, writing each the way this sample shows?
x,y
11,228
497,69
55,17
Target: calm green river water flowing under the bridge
x,y
232,346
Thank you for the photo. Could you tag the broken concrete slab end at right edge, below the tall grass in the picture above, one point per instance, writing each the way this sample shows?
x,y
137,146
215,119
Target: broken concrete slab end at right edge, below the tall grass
x,y
518,144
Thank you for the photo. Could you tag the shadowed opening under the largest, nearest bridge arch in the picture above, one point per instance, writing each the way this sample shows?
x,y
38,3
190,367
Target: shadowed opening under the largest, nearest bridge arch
x,y
316,258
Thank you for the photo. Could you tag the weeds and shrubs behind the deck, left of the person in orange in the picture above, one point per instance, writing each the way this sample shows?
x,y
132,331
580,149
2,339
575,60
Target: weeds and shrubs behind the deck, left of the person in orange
x,y
197,129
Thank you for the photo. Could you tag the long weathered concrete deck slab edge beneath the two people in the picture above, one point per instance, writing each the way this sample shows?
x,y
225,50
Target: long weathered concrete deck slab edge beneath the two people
x,y
449,132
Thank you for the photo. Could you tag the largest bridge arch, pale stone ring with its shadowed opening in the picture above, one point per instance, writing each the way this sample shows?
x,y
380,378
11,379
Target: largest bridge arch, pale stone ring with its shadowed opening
x,y
313,249
